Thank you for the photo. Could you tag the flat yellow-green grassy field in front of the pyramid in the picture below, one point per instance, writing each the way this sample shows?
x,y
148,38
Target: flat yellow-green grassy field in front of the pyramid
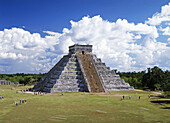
x,y
81,108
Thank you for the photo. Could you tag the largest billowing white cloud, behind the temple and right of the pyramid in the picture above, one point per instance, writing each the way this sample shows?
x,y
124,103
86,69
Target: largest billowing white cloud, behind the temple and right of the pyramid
x,y
117,43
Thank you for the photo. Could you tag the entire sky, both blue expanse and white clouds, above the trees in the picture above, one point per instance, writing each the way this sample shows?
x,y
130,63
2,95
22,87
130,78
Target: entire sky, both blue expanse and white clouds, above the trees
x,y
35,34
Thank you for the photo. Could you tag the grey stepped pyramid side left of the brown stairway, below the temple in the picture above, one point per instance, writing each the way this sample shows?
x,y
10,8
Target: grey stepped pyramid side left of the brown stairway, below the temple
x,y
65,76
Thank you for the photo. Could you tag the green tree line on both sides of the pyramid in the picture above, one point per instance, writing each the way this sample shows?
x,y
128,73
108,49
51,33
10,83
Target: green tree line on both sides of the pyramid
x,y
154,78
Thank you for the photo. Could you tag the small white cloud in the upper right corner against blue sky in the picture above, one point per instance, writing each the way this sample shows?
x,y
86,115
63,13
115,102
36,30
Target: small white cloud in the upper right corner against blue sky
x,y
158,18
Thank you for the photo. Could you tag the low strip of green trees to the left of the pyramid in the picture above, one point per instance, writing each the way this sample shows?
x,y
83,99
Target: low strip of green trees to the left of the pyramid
x,y
22,78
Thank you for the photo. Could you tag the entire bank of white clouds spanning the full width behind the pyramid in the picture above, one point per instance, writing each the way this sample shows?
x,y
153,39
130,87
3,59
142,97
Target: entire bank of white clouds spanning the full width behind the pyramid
x,y
122,45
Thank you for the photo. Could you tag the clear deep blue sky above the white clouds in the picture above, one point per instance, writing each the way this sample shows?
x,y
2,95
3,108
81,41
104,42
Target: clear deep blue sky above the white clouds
x,y
54,15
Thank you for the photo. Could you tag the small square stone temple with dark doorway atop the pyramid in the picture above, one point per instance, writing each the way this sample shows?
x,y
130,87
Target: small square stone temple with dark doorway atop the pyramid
x,y
80,49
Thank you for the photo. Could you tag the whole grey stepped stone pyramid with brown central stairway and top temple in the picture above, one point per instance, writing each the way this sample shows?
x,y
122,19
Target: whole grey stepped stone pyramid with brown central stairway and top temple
x,y
81,70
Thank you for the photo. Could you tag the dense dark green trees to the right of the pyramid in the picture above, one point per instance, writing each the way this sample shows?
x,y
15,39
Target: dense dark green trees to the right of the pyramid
x,y
153,79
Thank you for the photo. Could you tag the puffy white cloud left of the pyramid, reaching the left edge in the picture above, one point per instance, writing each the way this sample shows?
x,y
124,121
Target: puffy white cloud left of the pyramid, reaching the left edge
x,y
21,48
